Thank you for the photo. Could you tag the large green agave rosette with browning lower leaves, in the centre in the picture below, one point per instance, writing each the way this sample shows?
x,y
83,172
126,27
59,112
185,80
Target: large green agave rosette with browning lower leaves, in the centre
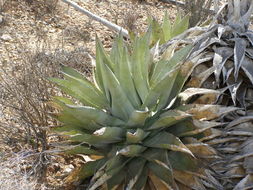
x,y
130,122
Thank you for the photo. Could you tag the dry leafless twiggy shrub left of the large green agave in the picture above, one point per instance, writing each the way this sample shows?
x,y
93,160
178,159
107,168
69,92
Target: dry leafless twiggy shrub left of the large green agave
x,y
25,93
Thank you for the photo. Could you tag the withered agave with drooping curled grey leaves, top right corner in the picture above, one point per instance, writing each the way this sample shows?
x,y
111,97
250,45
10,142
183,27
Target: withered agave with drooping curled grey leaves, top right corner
x,y
227,54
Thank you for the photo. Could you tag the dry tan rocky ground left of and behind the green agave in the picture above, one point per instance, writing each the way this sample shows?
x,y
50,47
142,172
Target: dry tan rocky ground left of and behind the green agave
x,y
36,33
